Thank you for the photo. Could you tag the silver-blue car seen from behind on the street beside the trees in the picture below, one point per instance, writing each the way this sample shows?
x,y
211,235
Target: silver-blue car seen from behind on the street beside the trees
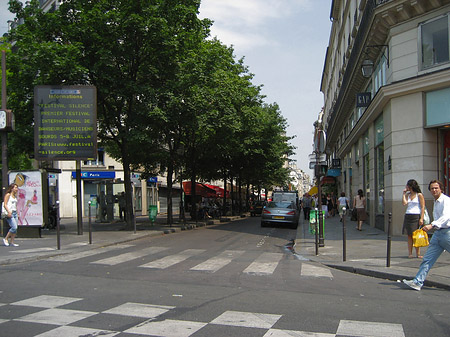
x,y
280,212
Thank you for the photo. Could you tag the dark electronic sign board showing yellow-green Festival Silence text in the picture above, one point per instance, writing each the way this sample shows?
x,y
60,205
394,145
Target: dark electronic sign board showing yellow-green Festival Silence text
x,y
65,120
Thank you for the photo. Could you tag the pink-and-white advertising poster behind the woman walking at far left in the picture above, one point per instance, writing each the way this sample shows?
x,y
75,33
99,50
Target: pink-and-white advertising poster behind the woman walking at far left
x,y
29,198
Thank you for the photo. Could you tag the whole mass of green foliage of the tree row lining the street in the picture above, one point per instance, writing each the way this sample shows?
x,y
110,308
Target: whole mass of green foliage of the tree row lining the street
x,y
169,98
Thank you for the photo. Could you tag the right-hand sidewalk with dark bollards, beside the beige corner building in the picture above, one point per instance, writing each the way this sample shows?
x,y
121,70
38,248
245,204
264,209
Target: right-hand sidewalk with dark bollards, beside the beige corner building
x,y
366,253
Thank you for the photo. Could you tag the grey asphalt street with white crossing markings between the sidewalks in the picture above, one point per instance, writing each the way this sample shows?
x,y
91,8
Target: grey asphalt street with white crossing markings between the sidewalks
x,y
234,279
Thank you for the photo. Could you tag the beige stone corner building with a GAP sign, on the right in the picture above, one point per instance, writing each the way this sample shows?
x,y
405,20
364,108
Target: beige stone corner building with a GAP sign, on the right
x,y
386,86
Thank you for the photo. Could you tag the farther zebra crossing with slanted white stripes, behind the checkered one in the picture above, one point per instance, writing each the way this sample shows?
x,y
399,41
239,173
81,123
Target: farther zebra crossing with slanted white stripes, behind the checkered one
x,y
261,263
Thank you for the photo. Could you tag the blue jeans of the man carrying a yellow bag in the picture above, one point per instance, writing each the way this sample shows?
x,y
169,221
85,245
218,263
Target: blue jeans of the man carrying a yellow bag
x,y
439,242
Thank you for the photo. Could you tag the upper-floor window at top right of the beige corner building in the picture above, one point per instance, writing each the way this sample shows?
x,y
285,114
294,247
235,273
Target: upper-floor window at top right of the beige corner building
x,y
434,42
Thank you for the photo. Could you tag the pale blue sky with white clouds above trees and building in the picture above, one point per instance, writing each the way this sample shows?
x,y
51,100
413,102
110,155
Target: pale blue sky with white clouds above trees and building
x,y
283,43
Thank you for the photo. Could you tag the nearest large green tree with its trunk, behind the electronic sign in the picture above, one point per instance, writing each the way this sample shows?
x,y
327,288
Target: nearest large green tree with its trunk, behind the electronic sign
x,y
130,50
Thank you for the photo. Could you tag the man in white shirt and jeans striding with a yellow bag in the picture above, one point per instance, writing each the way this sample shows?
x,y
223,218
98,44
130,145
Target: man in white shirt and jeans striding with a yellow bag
x,y
441,237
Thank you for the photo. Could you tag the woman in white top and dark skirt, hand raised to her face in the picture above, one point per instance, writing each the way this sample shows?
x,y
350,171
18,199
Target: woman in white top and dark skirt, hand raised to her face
x,y
415,207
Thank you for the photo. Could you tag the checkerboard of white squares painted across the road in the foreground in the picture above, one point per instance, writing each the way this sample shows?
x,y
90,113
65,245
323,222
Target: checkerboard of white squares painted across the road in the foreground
x,y
54,316
